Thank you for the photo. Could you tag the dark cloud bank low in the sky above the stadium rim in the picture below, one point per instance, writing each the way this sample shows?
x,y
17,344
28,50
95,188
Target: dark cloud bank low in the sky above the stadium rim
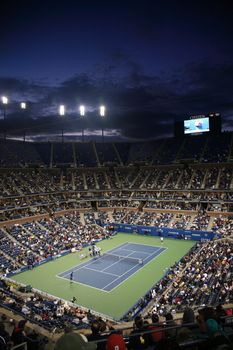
x,y
138,105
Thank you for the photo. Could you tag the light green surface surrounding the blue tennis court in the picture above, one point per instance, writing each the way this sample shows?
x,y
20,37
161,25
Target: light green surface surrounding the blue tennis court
x,y
121,298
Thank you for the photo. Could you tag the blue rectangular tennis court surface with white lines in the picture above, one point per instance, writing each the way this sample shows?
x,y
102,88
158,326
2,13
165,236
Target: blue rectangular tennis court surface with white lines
x,y
107,272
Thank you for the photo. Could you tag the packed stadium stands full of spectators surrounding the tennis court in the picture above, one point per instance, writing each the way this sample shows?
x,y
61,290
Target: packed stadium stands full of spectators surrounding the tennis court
x,y
48,210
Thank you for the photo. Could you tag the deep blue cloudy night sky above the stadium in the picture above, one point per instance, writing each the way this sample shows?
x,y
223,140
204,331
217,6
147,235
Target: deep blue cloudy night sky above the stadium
x,y
149,62
